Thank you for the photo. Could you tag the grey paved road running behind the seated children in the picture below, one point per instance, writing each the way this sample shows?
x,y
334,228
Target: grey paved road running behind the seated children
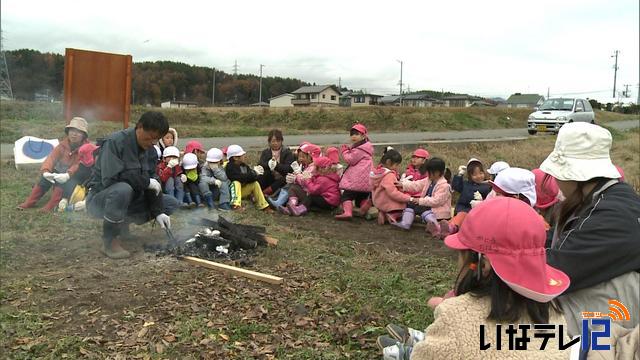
x,y
252,142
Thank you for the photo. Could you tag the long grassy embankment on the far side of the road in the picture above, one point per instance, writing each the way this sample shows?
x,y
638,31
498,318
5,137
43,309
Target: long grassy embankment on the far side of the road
x,y
44,120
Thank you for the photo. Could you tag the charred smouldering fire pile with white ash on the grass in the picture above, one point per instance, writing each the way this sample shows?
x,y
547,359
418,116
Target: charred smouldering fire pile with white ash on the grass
x,y
216,240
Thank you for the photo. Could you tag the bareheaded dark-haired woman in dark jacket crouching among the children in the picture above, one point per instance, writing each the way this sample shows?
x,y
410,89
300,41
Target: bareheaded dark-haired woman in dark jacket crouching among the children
x,y
276,161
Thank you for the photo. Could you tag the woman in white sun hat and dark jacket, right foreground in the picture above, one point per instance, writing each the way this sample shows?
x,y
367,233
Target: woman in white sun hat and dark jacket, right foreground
x,y
596,241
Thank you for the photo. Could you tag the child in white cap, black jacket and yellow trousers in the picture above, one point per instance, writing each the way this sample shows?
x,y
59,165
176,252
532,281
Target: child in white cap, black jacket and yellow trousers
x,y
247,179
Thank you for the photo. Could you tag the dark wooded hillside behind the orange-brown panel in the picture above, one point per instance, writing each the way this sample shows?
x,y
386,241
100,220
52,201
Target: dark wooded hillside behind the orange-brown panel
x,y
36,75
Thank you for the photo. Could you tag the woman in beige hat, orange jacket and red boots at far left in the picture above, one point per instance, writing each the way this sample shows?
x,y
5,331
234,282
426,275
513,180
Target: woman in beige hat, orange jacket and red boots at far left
x,y
59,166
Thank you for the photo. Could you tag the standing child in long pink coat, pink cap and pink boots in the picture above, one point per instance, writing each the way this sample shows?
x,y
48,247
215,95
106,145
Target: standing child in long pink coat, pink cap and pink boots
x,y
355,179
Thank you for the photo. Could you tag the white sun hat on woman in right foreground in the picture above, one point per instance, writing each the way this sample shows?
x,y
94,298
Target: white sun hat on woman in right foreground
x,y
581,153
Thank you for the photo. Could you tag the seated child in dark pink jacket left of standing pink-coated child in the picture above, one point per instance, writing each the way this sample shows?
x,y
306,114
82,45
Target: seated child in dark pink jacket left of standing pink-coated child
x,y
320,191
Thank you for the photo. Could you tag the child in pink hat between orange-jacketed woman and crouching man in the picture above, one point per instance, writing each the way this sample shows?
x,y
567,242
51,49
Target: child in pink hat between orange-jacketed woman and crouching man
x,y
79,178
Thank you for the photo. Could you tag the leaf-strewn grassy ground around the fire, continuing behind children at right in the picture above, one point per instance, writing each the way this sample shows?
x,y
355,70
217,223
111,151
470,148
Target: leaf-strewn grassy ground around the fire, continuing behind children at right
x,y
343,281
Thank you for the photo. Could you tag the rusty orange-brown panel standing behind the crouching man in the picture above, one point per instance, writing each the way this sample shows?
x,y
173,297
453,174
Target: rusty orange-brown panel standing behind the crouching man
x,y
97,86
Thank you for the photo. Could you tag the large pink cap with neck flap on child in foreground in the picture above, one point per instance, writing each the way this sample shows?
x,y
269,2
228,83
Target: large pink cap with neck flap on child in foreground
x,y
511,235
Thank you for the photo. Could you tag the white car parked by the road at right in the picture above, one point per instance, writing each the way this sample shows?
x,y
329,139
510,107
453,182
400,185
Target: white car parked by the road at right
x,y
554,113
